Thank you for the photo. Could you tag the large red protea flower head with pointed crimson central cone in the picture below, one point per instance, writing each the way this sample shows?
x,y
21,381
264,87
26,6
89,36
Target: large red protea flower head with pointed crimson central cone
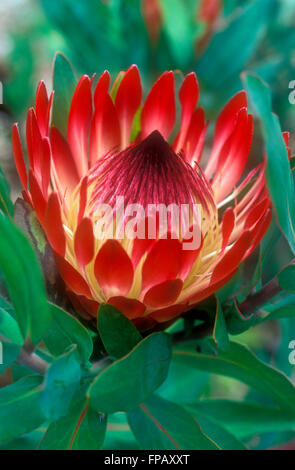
x,y
118,149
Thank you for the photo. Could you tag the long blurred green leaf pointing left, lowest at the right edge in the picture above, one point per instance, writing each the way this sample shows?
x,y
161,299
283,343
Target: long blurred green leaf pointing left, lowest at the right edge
x,y
246,419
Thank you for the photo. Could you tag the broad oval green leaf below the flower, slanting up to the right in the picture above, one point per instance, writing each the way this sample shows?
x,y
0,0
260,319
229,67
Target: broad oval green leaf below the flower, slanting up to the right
x,y
133,378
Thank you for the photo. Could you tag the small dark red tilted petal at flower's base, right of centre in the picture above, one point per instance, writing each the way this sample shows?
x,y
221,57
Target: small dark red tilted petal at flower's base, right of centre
x,y
163,294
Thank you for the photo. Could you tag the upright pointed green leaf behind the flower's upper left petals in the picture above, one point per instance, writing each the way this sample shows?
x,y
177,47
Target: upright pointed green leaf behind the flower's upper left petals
x,y
64,84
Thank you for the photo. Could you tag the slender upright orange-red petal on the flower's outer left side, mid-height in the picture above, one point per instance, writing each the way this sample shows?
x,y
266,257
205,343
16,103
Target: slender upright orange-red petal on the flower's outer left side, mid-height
x,y
53,225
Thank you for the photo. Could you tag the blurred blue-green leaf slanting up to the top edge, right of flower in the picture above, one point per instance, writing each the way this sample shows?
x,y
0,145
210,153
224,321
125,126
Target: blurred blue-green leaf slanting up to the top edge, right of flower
x,y
232,47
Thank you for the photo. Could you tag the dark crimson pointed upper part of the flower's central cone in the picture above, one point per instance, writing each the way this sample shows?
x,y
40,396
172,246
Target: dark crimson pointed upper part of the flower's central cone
x,y
148,173
